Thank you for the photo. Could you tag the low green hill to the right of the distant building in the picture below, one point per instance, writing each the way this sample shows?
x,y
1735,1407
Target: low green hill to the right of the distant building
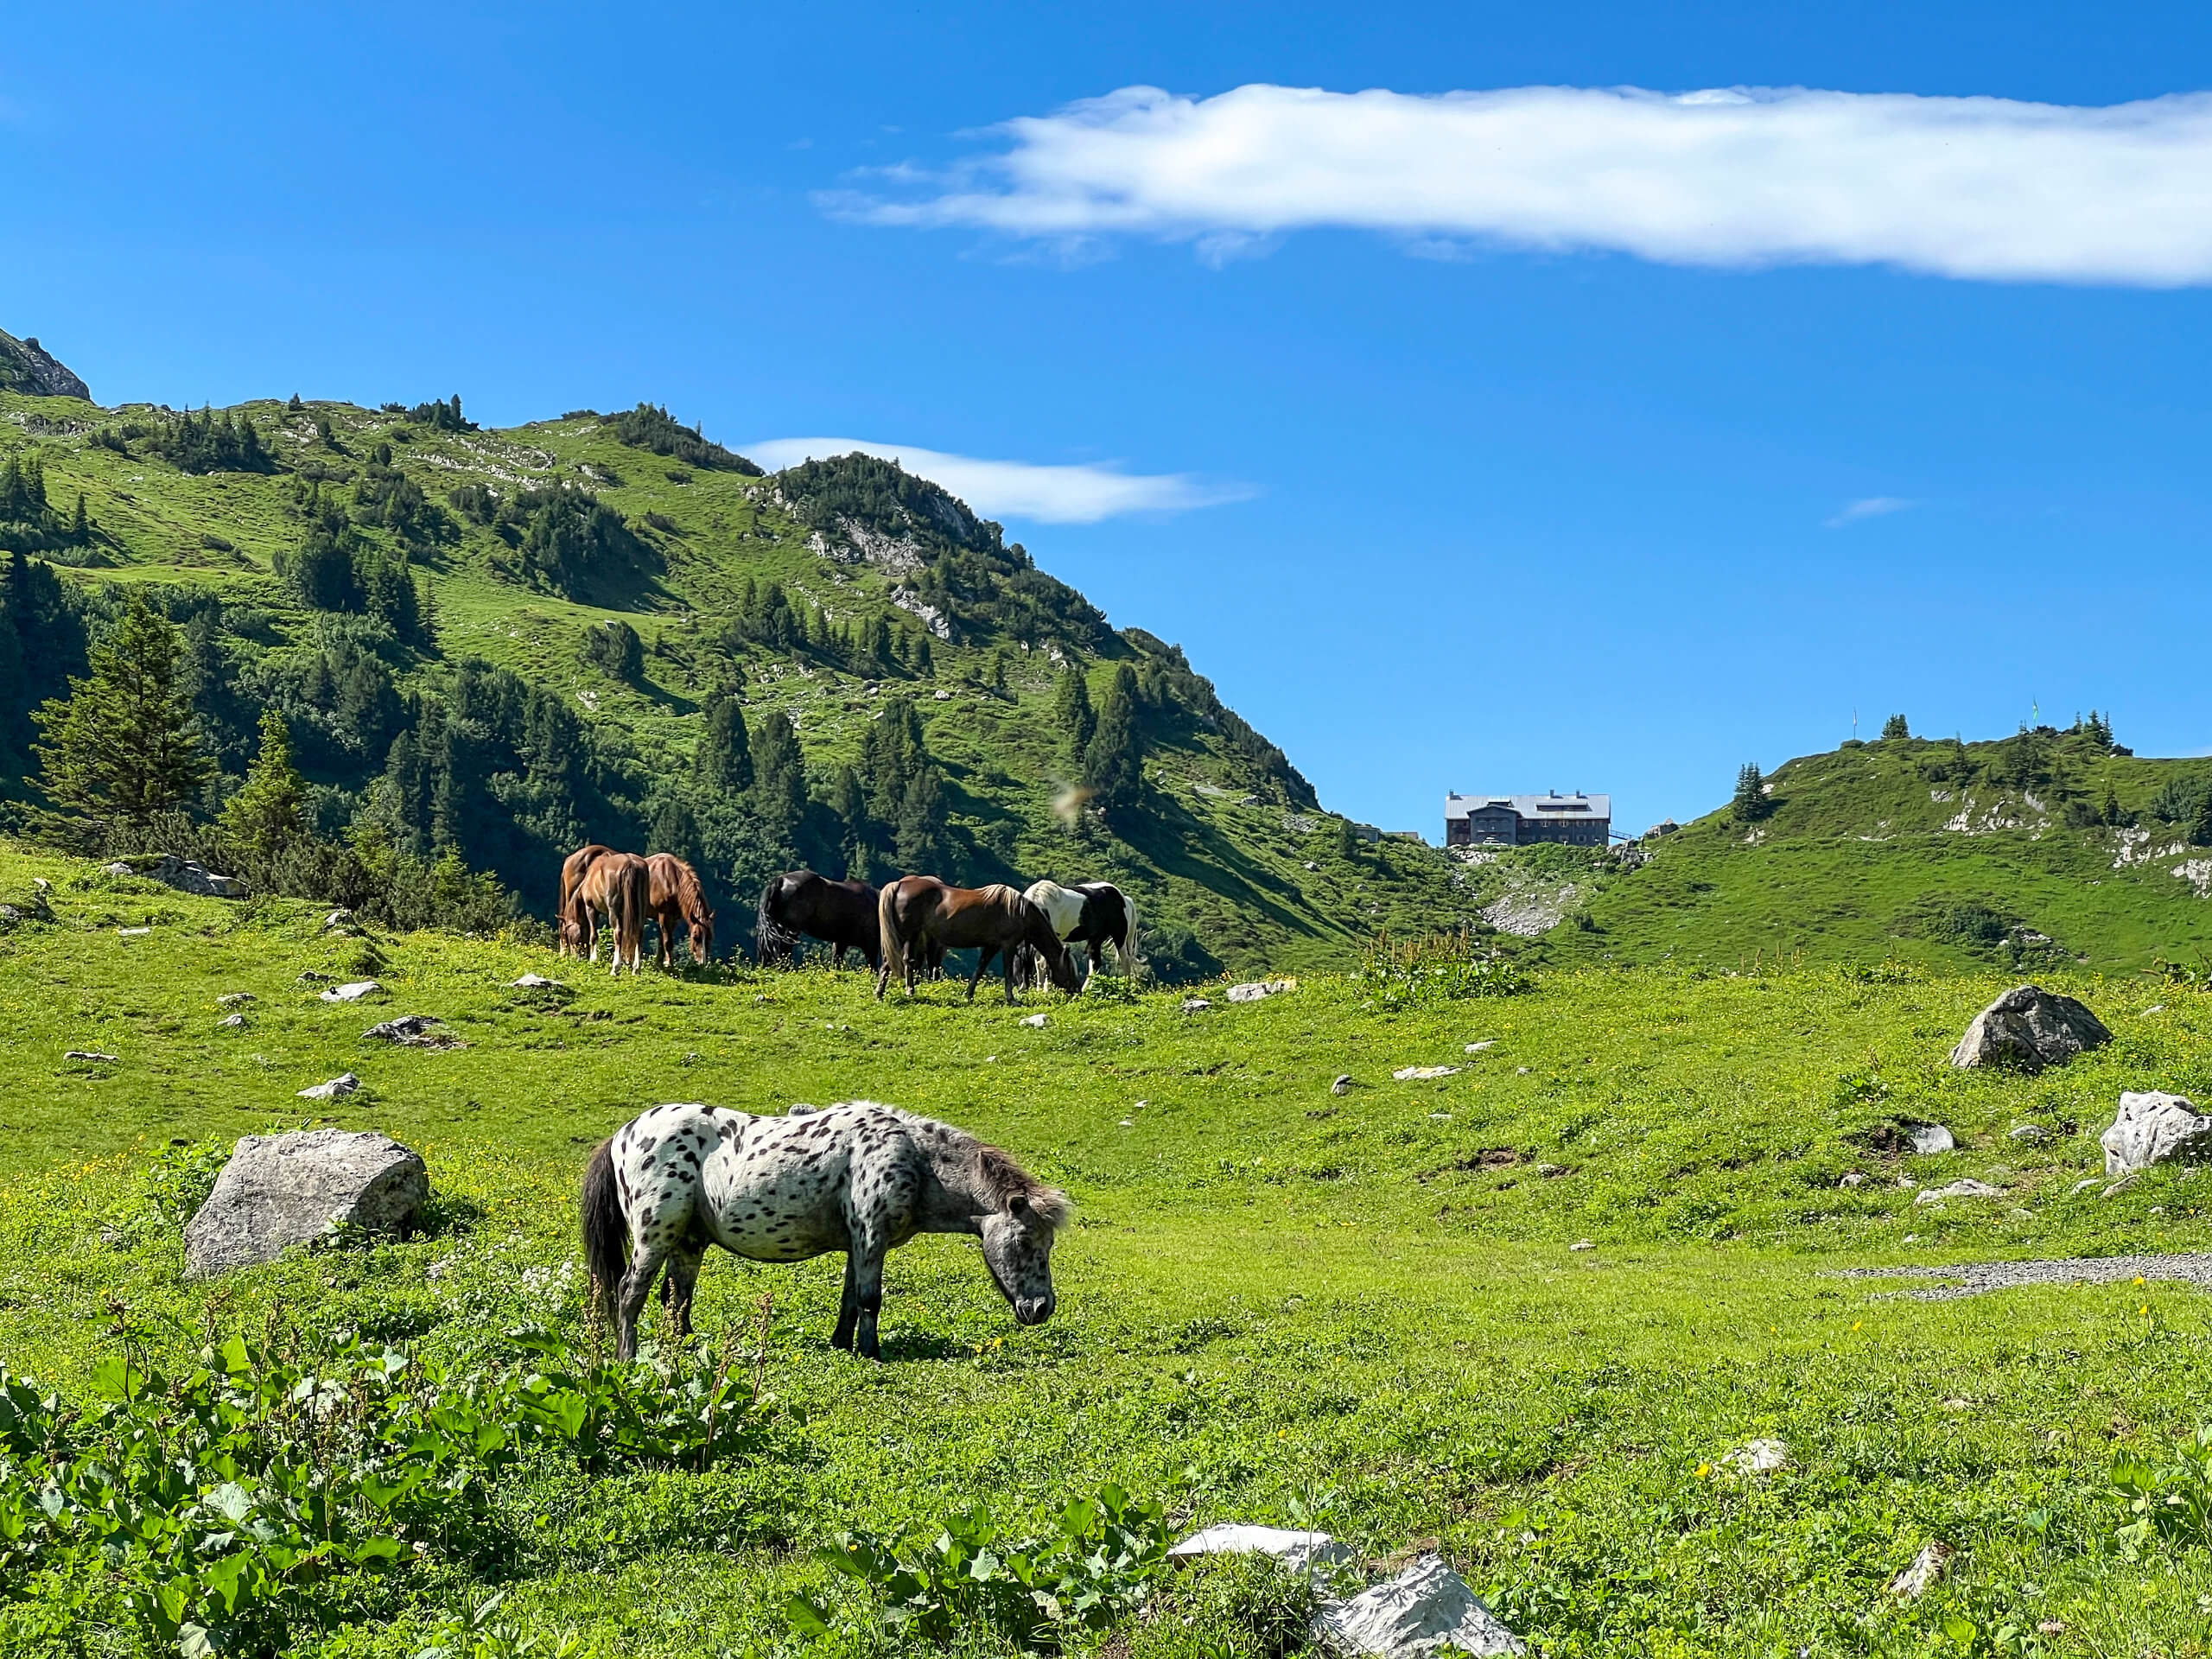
x,y
2041,853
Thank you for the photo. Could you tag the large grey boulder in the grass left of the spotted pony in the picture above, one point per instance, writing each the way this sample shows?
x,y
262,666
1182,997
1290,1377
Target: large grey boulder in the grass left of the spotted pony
x,y
280,1191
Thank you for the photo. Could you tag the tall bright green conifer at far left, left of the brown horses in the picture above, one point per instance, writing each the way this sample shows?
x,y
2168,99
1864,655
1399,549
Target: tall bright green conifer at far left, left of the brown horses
x,y
123,744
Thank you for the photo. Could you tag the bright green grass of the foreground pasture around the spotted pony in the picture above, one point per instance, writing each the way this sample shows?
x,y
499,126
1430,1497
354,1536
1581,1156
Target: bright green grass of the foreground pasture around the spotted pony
x,y
1275,1302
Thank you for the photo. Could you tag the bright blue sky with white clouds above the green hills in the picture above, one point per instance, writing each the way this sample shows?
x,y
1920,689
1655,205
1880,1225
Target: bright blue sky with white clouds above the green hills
x,y
1532,439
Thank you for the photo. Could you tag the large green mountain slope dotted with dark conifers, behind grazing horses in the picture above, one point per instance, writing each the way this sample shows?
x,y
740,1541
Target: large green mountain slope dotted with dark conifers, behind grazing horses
x,y
508,643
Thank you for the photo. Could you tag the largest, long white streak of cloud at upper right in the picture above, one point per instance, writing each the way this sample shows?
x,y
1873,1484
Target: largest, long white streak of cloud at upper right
x,y
1959,187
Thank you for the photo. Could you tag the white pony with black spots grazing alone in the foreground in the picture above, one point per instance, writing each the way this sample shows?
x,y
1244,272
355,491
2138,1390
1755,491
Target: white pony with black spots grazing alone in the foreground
x,y
855,1178
